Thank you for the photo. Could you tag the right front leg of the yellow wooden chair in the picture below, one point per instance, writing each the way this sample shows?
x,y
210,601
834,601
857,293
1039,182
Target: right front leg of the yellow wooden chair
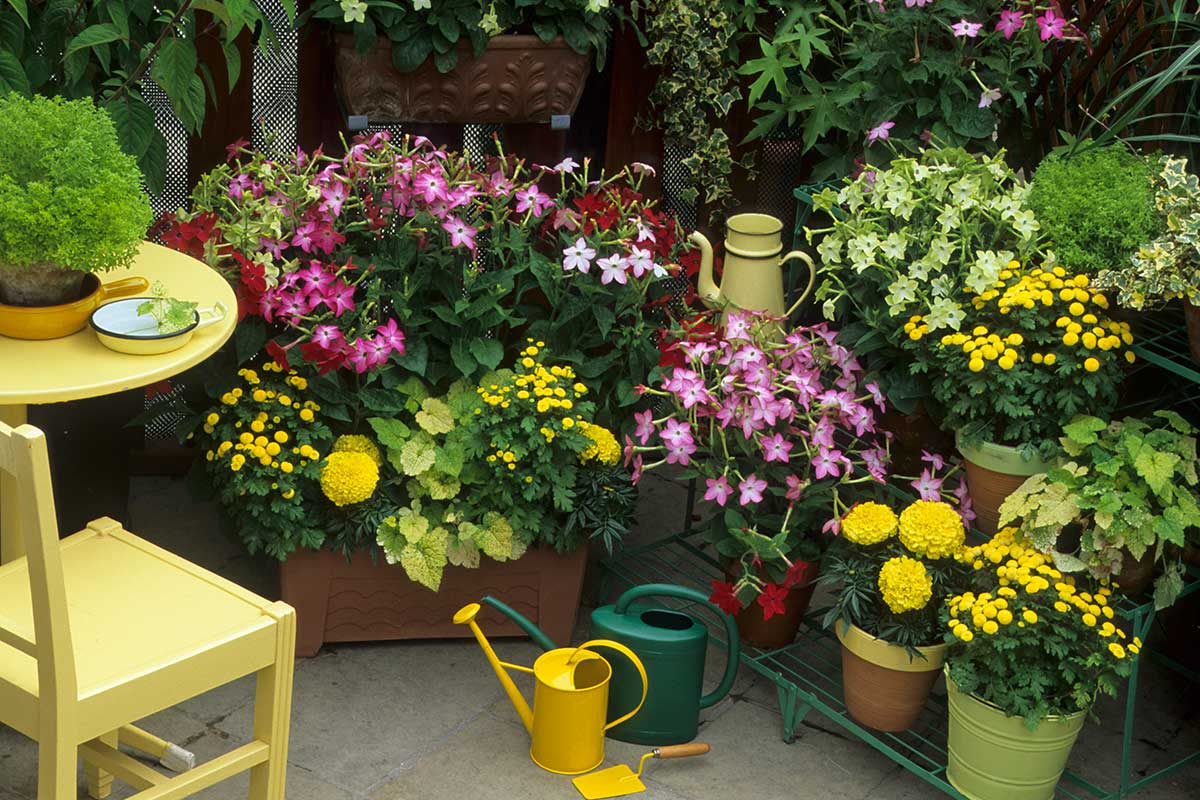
x,y
273,712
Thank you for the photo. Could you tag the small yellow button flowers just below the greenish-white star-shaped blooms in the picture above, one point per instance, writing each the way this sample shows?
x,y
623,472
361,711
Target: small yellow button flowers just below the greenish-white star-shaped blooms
x,y
1019,288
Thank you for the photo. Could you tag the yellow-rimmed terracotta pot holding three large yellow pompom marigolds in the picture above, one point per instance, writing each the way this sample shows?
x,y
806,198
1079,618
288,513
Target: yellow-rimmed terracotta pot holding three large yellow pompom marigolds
x,y
885,689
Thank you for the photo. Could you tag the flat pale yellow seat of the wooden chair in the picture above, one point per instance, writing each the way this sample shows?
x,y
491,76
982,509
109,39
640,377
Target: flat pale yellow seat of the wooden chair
x,y
136,610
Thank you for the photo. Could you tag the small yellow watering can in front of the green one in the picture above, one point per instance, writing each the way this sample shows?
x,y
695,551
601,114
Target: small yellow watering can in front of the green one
x,y
571,700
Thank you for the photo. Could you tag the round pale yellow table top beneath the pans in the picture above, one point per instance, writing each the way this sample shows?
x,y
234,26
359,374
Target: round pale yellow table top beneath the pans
x,y
79,366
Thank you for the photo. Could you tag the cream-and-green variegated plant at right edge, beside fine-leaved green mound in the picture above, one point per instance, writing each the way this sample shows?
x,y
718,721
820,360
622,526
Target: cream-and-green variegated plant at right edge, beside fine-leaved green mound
x,y
1168,267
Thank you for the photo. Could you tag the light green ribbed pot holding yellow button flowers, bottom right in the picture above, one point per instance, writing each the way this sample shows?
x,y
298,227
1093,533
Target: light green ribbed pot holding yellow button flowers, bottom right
x,y
993,756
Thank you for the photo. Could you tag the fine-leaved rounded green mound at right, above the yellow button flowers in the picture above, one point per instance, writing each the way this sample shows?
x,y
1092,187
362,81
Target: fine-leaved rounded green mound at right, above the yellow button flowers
x,y
1097,207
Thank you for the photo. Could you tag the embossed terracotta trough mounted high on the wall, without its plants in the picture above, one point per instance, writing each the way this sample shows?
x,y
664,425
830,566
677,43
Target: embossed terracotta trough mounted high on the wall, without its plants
x,y
515,80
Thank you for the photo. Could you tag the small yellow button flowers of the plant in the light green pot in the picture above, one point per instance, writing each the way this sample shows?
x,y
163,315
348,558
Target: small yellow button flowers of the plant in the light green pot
x,y
1021,570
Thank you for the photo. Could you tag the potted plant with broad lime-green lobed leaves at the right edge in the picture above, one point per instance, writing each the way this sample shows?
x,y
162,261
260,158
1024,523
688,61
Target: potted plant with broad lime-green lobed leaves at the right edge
x,y
1129,490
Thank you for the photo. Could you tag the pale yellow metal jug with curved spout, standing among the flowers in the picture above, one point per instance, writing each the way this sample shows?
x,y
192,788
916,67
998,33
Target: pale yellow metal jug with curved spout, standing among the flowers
x,y
754,275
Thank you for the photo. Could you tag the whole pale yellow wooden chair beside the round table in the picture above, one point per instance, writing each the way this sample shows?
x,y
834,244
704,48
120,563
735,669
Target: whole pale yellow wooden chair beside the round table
x,y
105,629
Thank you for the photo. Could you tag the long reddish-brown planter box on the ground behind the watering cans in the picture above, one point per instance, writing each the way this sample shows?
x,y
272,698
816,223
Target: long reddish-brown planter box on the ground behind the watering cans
x,y
367,600
